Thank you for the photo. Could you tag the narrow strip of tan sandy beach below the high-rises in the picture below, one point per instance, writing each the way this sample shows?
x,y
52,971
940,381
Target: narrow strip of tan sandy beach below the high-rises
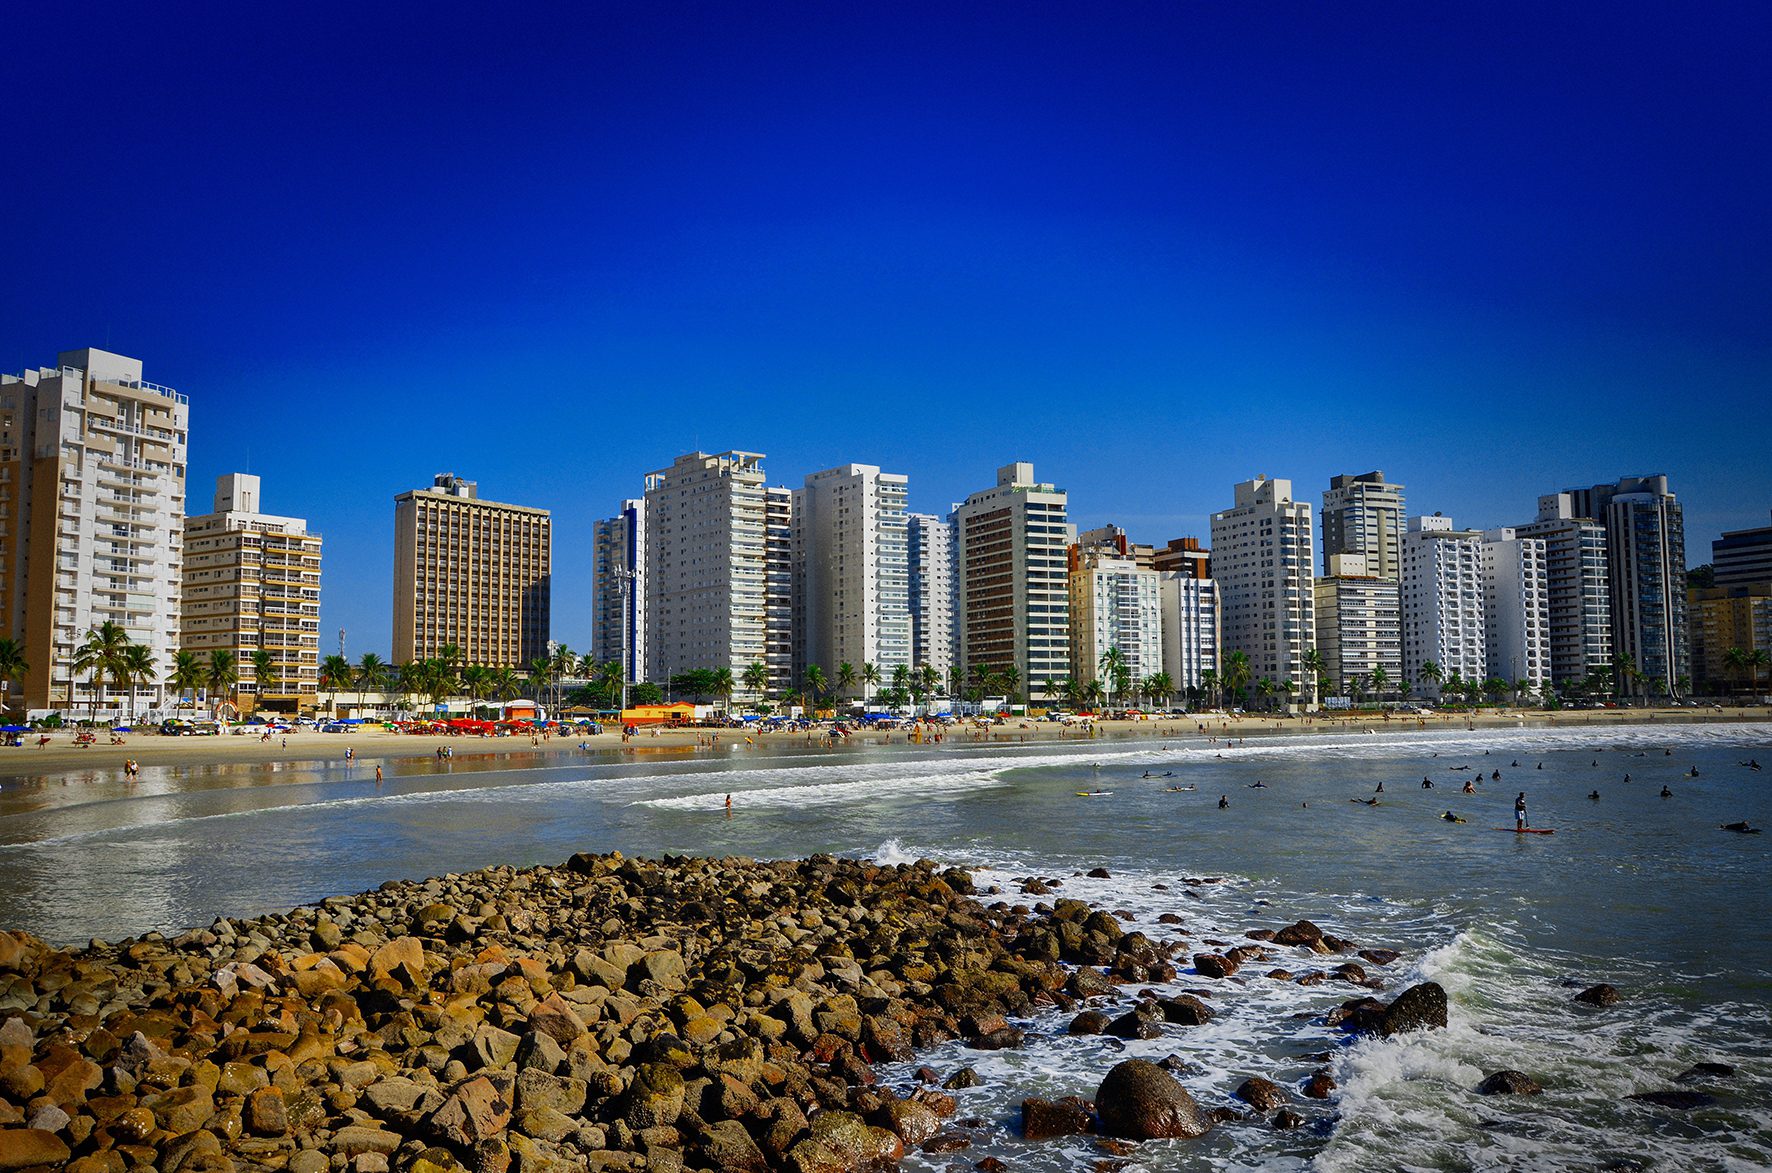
x,y
371,747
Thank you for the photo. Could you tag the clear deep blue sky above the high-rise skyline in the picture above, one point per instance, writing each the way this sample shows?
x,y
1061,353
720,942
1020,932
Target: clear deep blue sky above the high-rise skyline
x,y
1156,249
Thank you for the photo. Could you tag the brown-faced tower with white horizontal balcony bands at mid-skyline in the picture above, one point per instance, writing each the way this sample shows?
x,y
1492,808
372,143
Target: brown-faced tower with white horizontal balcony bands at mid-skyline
x,y
1011,557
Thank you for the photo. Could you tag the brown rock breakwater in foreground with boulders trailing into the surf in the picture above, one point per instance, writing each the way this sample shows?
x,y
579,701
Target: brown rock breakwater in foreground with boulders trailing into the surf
x,y
607,1014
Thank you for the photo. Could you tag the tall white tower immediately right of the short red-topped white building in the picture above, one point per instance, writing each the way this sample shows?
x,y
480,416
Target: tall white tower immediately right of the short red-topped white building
x,y
1263,557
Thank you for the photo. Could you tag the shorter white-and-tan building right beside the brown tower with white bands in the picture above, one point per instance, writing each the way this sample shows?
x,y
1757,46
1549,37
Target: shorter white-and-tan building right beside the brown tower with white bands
x,y
1115,605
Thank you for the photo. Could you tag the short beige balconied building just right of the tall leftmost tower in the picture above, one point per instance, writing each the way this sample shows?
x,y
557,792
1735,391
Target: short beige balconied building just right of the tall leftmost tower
x,y
253,584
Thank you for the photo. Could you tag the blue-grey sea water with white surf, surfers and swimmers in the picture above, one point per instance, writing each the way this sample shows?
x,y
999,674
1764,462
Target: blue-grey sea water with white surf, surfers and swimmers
x,y
1638,890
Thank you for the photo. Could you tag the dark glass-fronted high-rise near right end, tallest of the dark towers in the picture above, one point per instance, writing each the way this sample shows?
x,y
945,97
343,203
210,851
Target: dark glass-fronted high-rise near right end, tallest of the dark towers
x,y
1645,554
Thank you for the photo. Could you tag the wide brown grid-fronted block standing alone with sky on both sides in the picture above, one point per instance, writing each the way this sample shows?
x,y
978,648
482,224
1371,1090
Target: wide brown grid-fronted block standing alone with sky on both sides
x,y
470,575
